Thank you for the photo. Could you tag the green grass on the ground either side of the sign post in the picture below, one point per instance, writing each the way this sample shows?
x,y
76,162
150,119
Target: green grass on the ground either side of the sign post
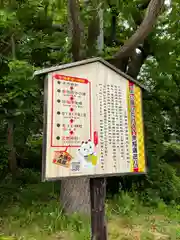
x,y
33,212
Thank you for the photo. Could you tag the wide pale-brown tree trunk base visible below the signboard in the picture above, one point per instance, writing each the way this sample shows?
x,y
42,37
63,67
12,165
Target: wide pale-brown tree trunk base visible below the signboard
x,y
75,195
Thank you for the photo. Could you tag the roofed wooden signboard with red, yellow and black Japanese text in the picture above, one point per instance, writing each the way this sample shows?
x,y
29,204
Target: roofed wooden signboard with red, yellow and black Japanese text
x,y
93,122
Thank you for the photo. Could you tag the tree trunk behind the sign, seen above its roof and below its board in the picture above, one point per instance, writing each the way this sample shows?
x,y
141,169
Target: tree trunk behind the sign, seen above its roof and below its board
x,y
74,193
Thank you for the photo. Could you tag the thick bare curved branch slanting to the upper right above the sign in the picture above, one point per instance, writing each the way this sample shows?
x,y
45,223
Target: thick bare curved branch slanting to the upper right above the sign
x,y
153,10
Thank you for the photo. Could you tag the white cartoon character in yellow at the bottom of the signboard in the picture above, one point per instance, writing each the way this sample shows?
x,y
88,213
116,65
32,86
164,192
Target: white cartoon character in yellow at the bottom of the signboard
x,y
87,151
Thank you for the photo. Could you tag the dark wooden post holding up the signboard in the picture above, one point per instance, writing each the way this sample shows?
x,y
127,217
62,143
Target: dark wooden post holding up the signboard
x,y
98,195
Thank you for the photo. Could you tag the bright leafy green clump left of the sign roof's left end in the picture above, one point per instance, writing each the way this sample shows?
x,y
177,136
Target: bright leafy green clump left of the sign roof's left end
x,y
18,85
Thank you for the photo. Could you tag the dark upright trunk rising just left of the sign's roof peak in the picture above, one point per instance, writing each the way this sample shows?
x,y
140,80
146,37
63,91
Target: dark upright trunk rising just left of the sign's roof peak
x,y
75,27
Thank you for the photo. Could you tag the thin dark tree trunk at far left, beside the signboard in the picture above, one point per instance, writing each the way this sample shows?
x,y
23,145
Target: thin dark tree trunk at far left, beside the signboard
x,y
12,152
